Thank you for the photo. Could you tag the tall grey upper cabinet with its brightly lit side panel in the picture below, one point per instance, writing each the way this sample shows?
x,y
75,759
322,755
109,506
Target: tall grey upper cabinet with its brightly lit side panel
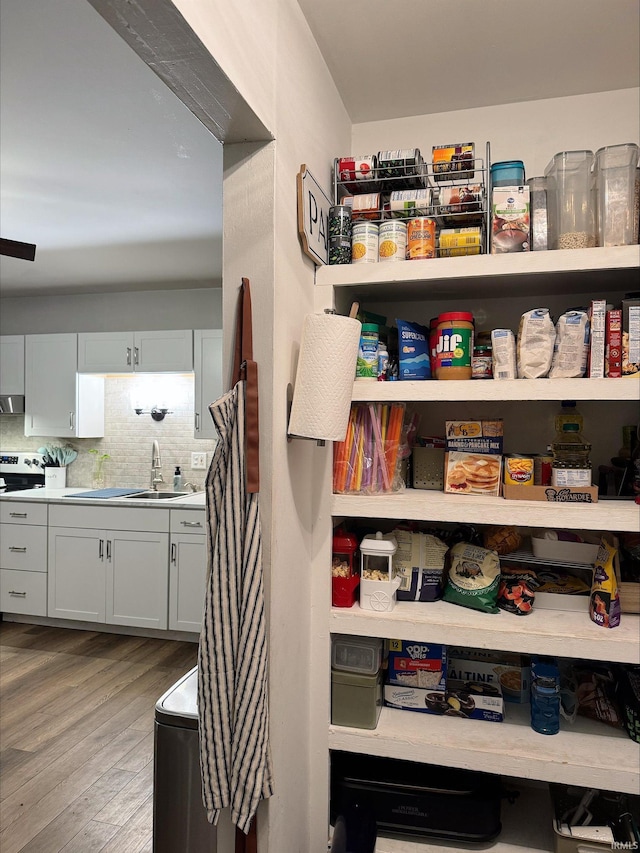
x,y
59,401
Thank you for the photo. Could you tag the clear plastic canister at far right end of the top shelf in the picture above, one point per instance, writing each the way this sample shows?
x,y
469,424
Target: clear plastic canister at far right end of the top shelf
x,y
615,193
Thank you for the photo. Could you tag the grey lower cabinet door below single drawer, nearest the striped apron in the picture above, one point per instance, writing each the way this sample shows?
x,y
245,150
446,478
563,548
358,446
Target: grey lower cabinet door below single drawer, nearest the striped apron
x,y
187,577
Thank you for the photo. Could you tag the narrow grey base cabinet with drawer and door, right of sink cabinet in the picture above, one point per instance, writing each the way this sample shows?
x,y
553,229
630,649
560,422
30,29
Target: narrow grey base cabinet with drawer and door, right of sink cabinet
x,y
187,570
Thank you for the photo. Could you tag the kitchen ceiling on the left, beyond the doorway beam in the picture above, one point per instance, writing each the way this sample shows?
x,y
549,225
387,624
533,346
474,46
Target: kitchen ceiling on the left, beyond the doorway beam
x,y
102,167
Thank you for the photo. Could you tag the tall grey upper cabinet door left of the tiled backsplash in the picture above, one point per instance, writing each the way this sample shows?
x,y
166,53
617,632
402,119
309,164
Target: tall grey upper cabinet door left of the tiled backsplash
x,y
50,384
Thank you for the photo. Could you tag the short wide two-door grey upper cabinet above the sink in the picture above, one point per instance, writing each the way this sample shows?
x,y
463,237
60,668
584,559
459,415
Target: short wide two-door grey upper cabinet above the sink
x,y
139,352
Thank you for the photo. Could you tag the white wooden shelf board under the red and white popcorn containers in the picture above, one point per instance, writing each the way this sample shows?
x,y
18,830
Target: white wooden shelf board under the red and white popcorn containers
x,y
561,633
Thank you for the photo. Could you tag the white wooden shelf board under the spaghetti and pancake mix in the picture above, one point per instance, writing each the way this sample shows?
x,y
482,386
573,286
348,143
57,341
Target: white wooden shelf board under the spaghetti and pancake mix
x,y
425,505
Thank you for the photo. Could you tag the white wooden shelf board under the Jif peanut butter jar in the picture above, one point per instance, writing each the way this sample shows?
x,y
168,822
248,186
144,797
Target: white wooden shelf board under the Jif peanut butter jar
x,y
488,390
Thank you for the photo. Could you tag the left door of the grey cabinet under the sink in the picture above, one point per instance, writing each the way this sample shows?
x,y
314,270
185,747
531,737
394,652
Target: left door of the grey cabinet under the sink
x,y
77,574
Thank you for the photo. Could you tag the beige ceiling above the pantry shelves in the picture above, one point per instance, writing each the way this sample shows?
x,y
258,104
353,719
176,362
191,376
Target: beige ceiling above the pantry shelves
x,y
395,58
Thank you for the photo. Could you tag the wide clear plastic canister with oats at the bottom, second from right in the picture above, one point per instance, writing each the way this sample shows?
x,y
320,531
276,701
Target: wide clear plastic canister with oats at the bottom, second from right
x,y
570,200
